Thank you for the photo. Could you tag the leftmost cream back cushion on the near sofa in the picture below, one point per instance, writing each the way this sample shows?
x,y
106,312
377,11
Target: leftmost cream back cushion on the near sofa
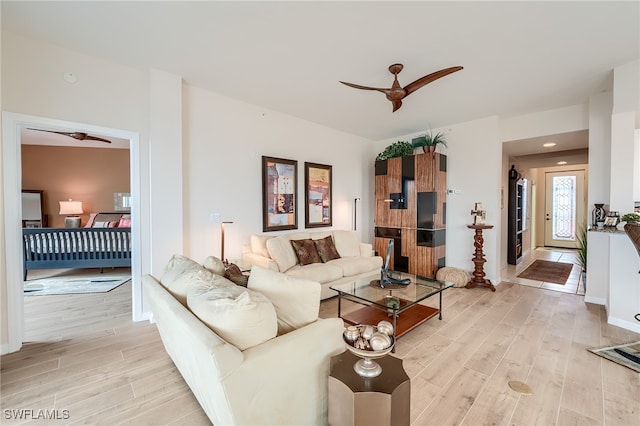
x,y
179,273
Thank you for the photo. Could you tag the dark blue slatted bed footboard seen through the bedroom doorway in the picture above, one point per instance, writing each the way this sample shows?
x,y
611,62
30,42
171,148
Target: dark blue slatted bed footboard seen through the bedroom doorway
x,y
47,248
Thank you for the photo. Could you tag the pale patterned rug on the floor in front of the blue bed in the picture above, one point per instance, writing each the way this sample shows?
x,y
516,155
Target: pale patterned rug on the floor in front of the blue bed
x,y
74,285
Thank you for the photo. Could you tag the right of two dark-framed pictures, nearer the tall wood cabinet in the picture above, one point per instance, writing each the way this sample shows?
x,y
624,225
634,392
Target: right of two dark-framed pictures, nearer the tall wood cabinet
x,y
317,201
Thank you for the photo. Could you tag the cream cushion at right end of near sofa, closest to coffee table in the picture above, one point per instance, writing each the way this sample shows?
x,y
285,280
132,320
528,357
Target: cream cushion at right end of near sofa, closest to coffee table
x,y
297,301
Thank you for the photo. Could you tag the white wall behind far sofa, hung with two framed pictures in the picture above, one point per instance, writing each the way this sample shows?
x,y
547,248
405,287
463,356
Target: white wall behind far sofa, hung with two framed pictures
x,y
225,140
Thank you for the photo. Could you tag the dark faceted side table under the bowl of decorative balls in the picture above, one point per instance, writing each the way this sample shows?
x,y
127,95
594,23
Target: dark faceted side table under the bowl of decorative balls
x,y
368,401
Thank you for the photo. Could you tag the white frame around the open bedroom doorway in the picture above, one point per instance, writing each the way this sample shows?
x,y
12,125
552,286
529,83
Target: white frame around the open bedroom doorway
x,y
12,124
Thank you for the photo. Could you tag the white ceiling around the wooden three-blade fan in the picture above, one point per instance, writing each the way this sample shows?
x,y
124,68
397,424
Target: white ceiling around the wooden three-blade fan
x,y
518,57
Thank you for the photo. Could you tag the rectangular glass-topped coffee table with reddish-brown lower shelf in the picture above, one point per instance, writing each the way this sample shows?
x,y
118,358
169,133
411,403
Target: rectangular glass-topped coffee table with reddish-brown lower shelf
x,y
397,303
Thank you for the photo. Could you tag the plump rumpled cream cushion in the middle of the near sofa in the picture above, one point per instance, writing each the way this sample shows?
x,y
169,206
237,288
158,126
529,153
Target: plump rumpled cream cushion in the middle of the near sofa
x,y
242,317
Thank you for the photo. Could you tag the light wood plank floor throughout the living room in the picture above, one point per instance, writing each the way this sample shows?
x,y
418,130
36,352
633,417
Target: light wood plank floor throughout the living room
x,y
86,356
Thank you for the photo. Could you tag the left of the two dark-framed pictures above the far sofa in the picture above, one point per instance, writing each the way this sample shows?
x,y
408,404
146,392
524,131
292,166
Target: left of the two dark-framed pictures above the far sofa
x,y
279,199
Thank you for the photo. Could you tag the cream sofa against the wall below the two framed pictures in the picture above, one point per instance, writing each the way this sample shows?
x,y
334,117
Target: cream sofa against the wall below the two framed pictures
x,y
276,252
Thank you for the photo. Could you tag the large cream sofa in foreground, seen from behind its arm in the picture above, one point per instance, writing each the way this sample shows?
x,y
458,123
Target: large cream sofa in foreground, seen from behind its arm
x,y
282,380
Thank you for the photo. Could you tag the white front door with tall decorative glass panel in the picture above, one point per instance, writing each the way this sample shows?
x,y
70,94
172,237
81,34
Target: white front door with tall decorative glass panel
x,y
565,207
